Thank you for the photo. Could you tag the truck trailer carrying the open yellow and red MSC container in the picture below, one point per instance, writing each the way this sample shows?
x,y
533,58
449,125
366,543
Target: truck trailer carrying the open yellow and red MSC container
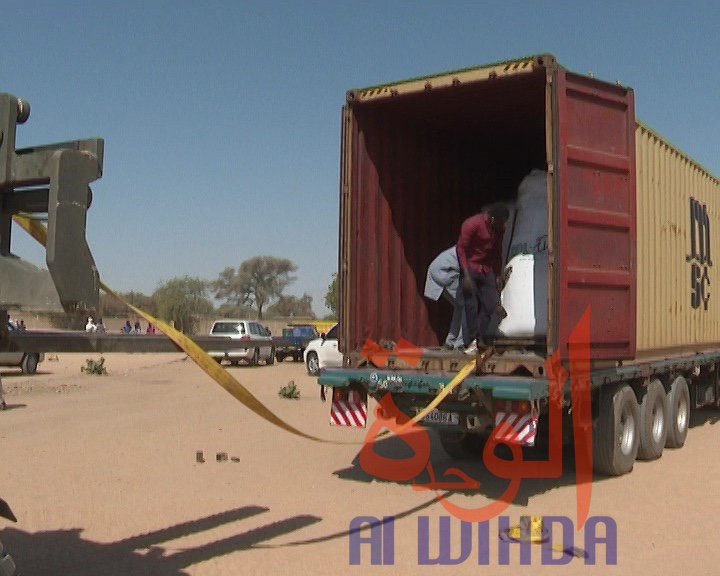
x,y
630,236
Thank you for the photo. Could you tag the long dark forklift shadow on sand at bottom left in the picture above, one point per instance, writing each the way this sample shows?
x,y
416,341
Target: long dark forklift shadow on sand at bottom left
x,y
66,552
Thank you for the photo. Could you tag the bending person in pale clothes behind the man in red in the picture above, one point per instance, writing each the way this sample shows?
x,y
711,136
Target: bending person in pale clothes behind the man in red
x,y
443,279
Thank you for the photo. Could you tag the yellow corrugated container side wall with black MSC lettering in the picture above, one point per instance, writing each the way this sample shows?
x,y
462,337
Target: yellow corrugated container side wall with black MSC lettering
x,y
678,289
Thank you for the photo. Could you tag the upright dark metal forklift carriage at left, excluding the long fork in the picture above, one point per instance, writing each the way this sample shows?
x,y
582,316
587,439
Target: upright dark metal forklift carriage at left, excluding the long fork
x,y
52,180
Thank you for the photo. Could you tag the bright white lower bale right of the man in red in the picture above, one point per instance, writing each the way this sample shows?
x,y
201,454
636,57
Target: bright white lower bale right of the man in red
x,y
525,297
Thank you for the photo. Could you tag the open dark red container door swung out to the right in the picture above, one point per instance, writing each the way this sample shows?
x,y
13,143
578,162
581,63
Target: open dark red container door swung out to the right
x,y
594,220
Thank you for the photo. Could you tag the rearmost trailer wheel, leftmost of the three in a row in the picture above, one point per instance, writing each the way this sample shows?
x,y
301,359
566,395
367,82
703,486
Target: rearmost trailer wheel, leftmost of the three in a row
x,y
616,439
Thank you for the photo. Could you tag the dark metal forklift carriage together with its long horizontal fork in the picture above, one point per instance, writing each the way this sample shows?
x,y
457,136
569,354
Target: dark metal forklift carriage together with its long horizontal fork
x,y
53,182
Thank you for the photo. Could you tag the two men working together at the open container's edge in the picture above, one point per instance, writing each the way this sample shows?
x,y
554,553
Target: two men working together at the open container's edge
x,y
469,275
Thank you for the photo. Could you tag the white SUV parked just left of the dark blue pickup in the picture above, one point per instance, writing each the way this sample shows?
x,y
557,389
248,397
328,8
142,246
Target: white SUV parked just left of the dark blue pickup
x,y
243,330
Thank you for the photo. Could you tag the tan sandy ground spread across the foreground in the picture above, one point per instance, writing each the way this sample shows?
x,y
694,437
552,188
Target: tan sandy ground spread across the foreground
x,y
102,475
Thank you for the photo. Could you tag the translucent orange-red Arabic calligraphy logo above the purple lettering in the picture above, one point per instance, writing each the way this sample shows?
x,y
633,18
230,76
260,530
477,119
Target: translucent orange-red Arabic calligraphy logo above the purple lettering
x,y
388,416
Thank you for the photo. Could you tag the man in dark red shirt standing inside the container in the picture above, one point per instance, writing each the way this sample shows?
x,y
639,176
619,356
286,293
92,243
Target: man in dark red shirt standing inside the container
x,y
479,250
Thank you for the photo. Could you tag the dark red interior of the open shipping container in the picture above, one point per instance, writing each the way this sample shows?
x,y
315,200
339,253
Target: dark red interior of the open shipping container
x,y
424,162
